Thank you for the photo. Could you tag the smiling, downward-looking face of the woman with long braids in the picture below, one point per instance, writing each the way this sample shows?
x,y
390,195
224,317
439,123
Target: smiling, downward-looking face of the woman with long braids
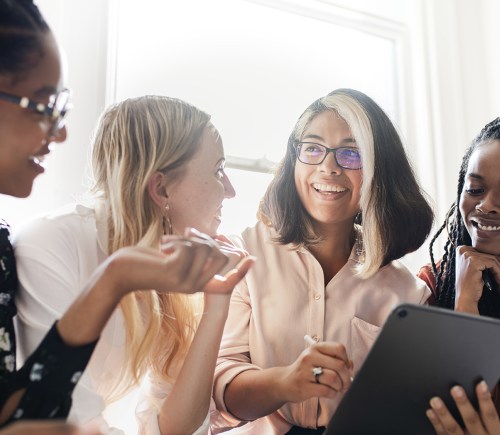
x,y
480,198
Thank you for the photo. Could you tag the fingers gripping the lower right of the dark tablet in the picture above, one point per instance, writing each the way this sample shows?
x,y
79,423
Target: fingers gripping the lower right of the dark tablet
x,y
482,422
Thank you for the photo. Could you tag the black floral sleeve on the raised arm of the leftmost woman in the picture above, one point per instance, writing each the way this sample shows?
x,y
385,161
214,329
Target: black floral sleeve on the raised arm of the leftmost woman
x,y
49,377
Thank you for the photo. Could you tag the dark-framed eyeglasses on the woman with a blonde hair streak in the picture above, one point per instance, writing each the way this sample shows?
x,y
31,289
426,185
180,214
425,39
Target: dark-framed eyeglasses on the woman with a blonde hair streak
x,y
312,153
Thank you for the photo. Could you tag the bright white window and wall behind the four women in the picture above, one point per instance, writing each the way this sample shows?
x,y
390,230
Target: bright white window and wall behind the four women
x,y
255,66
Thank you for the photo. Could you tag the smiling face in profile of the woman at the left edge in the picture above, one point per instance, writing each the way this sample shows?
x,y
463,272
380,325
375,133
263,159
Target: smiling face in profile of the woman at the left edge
x,y
24,134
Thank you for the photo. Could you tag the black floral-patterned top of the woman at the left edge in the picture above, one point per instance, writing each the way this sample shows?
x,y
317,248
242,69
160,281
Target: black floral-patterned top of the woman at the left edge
x,y
51,372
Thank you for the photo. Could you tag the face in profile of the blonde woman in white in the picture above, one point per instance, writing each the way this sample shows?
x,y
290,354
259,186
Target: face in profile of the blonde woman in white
x,y
195,200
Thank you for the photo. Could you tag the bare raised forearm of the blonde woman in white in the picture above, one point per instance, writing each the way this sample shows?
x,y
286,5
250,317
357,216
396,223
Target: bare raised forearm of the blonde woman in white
x,y
185,408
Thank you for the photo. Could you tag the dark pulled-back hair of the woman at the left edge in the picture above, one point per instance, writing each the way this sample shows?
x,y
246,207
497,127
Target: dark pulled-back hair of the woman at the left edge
x,y
21,28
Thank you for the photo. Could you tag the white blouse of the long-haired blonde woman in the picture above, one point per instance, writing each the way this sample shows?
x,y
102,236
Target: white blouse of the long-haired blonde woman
x,y
56,255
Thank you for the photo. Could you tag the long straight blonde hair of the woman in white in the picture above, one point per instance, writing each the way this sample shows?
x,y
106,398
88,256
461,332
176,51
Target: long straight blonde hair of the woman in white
x,y
135,139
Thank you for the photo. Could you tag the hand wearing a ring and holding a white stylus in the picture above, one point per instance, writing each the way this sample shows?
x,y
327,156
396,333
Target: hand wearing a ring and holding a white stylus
x,y
301,384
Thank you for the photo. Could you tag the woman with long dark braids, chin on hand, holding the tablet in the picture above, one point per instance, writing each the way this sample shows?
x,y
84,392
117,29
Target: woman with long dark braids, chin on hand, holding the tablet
x,y
467,277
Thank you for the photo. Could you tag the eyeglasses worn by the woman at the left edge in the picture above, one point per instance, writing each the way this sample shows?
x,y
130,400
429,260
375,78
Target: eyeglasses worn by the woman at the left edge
x,y
55,110
